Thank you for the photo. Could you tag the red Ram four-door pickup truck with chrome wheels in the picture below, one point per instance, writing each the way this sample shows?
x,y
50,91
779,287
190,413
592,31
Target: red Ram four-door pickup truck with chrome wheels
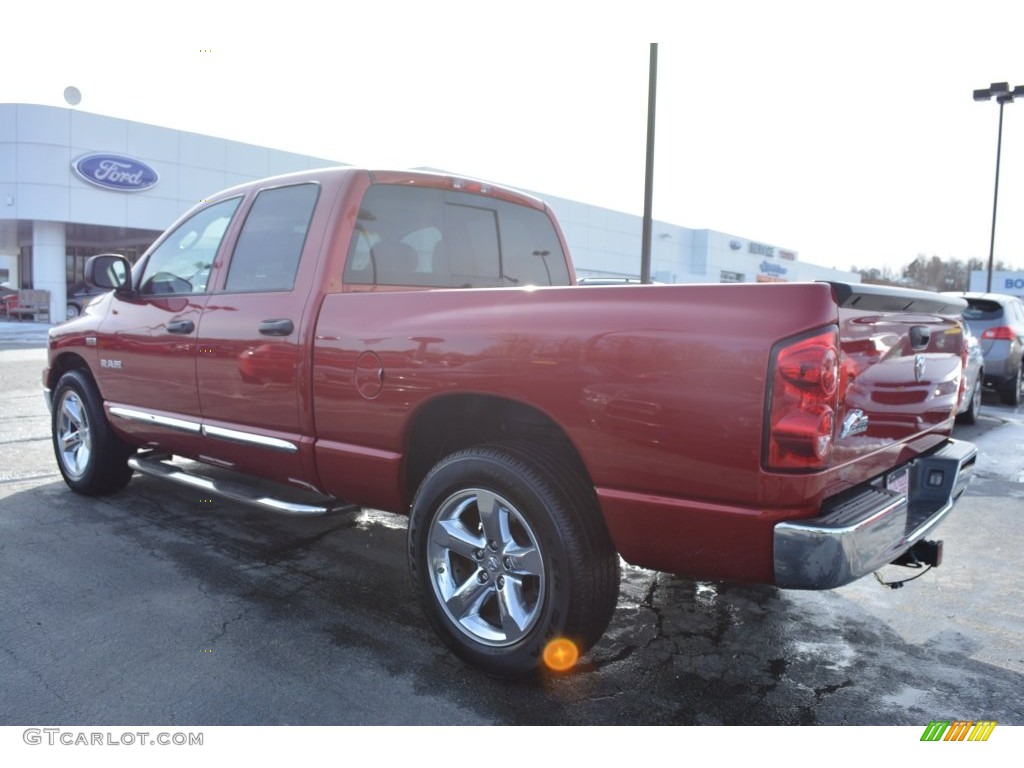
x,y
415,344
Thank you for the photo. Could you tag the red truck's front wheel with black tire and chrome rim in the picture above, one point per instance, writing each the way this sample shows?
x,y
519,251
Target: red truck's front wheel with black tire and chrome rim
x,y
93,460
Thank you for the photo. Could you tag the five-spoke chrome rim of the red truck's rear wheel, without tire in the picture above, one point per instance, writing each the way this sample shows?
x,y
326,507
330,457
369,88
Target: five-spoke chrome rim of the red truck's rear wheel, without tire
x,y
487,568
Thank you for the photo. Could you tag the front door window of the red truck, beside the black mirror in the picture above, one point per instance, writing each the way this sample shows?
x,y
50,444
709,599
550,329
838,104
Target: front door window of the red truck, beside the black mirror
x,y
182,264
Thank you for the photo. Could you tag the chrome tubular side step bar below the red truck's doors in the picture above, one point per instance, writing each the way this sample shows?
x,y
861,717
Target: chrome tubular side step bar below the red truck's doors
x,y
255,494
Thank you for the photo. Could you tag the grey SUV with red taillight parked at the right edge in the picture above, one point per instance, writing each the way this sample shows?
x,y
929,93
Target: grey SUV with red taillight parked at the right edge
x,y
998,321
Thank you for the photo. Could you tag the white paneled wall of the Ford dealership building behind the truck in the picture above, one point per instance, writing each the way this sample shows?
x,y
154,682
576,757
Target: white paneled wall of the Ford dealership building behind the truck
x,y
41,197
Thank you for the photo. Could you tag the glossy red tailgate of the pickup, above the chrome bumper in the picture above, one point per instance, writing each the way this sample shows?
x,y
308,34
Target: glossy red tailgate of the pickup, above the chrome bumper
x,y
902,370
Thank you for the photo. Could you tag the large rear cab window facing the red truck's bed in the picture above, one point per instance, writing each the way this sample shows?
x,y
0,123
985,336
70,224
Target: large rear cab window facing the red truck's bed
x,y
409,236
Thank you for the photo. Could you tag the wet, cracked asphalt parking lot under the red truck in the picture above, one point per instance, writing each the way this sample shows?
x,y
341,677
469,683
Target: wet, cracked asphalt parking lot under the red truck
x,y
158,606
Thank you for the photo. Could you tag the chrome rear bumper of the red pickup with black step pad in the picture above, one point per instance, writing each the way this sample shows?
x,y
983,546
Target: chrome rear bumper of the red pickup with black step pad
x,y
874,525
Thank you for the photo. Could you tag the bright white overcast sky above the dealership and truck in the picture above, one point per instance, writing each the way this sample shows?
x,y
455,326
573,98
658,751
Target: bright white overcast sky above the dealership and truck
x,y
845,132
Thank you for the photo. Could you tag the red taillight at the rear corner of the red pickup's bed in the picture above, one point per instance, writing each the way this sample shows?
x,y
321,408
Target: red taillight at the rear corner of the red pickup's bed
x,y
802,403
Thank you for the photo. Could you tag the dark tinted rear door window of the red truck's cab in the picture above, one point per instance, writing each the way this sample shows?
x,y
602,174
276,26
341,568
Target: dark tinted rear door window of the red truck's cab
x,y
267,255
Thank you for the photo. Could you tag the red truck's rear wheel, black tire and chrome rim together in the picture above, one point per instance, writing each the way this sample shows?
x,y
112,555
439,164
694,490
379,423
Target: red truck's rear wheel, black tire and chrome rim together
x,y
508,551
